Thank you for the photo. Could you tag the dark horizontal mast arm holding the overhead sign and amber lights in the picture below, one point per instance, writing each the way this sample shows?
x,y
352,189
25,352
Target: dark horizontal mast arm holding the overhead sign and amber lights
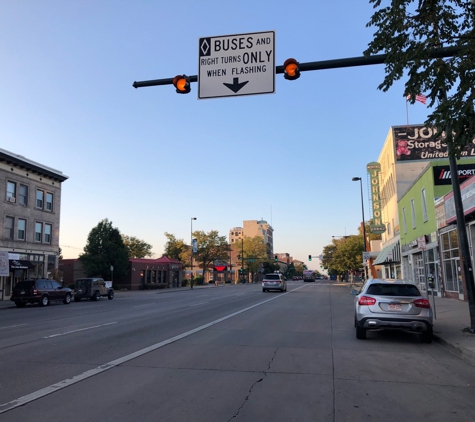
x,y
321,65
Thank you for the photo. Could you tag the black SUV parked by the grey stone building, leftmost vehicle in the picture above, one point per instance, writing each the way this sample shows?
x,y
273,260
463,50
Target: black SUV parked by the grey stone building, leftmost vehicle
x,y
41,291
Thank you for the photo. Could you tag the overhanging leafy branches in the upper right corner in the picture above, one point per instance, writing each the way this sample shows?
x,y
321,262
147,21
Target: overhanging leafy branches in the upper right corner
x,y
408,31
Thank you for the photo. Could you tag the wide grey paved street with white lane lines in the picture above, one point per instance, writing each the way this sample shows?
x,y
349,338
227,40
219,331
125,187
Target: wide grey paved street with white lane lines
x,y
231,353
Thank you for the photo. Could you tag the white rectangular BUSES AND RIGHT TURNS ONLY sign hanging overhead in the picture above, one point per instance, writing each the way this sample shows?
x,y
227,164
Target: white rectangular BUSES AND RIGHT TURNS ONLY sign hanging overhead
x,y
235,65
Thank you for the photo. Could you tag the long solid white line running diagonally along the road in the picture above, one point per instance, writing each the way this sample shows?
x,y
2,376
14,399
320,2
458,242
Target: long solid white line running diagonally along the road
x,y
112,364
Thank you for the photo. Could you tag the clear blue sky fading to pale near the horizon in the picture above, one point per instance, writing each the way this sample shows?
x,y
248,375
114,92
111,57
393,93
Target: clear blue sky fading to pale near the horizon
x,y
149,159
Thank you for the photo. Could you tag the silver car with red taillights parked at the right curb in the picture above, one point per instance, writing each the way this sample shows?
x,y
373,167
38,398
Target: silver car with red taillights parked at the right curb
x,y
392,305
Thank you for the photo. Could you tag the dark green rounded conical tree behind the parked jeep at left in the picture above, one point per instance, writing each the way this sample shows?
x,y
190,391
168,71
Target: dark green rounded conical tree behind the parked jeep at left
x,y
104,248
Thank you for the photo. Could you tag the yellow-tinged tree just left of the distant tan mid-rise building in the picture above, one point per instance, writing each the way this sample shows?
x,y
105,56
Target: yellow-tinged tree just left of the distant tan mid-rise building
x,y
211,247
